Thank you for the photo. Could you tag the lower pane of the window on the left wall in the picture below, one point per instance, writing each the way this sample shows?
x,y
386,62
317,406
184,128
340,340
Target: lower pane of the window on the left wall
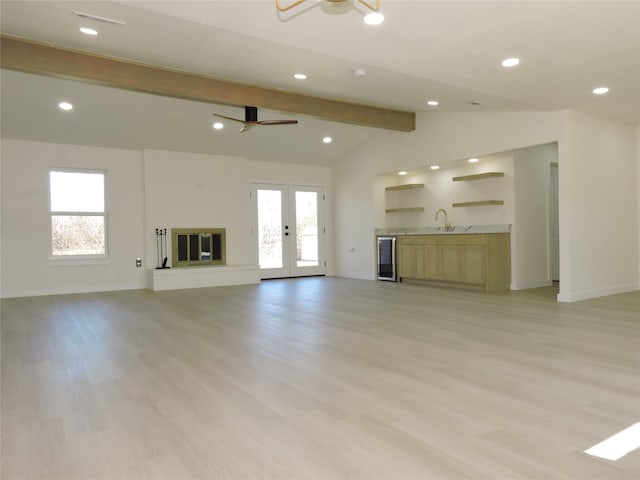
x,y
78,235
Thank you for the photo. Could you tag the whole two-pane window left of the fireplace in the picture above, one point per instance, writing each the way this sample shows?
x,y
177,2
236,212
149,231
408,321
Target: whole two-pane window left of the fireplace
x,y
78,217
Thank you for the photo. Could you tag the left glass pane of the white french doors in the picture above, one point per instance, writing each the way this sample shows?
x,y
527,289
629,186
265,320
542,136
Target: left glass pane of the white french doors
x,y
270,252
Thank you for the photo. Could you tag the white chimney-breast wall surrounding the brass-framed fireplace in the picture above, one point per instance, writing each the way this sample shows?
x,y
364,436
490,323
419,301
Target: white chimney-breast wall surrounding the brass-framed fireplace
x,y
185,190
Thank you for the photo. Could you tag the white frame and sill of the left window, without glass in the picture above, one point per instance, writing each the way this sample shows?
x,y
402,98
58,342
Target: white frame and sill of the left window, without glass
x,y
87,259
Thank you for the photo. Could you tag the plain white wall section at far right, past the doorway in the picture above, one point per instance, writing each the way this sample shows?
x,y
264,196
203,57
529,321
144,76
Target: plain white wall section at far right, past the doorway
x,y
598,207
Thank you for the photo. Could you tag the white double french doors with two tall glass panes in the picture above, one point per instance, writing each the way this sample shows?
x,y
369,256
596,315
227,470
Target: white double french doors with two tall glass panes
x,y
289,233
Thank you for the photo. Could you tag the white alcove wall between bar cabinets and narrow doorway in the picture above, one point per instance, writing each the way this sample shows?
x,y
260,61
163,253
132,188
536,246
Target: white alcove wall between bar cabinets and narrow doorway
x,y
530,256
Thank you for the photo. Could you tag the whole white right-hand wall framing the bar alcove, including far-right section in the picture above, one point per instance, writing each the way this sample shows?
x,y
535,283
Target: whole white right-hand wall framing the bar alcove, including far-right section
x,y
599,224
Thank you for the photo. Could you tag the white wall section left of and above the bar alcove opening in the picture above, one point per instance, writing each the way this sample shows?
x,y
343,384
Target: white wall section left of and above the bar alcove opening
x,y
438,138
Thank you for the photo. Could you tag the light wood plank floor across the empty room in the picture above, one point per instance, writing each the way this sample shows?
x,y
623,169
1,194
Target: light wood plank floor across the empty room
x,y
318,378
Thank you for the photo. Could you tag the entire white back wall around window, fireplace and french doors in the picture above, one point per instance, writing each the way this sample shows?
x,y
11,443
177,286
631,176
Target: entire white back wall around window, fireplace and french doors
x,y
145,190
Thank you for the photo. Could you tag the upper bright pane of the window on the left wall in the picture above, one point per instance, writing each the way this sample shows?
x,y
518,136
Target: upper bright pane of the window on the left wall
x,y
76,191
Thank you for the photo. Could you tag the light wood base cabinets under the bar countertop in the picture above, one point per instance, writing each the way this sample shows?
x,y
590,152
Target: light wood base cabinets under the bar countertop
x,y
479,261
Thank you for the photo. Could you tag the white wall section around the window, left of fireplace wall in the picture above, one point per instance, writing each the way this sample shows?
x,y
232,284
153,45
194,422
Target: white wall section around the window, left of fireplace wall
x,y
26,268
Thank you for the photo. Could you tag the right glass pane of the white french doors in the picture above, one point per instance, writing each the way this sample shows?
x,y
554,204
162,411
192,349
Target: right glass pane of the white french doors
x,y
306,229
